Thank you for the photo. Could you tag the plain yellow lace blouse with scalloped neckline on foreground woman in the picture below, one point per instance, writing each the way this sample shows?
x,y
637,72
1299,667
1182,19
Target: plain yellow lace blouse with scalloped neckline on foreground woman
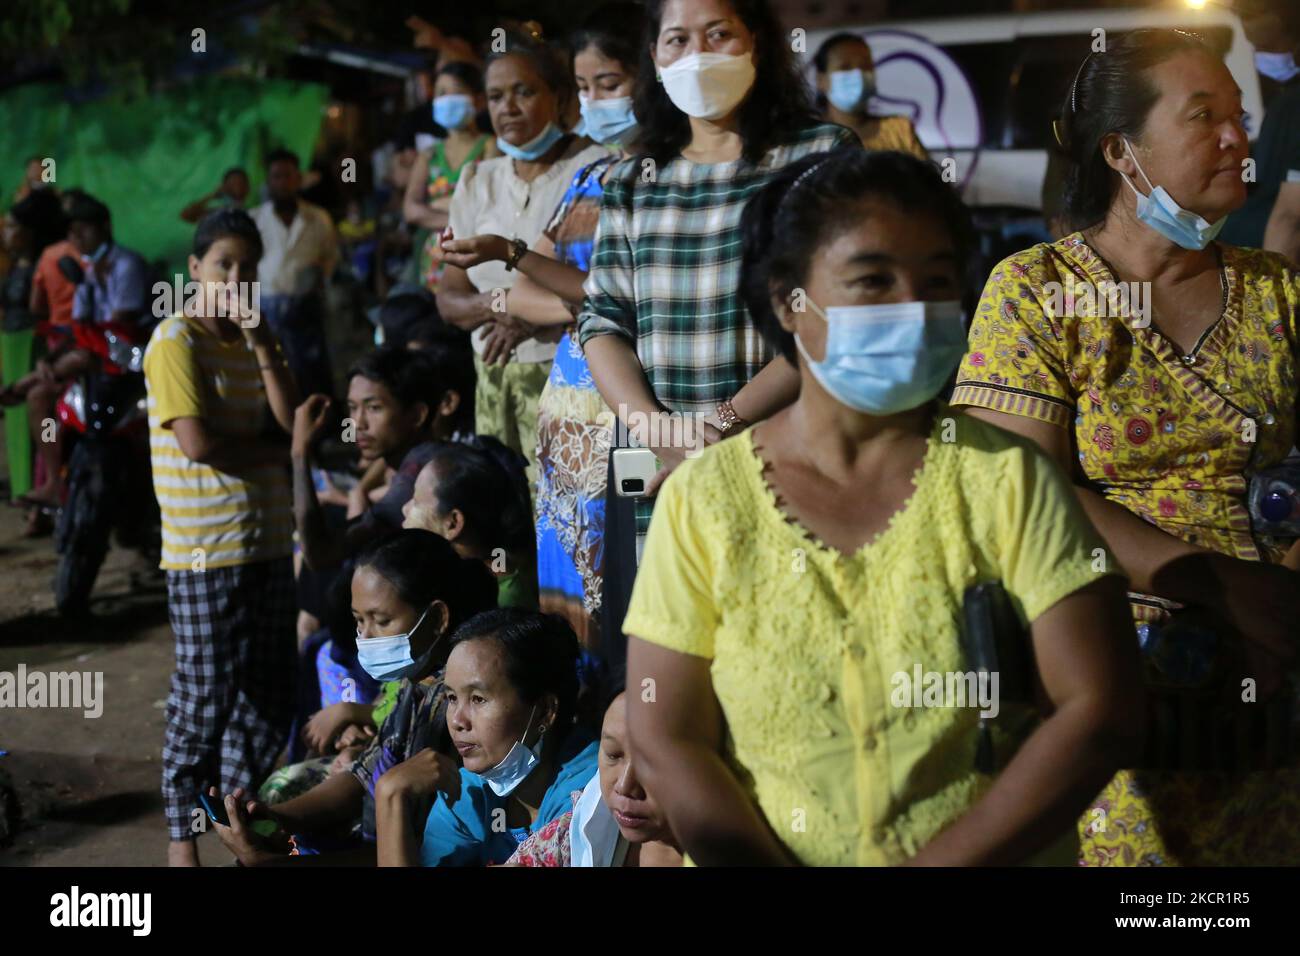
x,y
811,647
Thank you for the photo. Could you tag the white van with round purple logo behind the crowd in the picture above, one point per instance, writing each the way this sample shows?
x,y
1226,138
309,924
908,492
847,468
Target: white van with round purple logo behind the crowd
x,y
985,89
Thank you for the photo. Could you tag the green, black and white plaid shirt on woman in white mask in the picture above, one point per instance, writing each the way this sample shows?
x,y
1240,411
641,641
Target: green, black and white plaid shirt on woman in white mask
x,y
666,274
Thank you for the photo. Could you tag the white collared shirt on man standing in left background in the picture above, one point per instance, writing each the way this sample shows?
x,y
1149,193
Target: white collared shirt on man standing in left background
x,y
296,259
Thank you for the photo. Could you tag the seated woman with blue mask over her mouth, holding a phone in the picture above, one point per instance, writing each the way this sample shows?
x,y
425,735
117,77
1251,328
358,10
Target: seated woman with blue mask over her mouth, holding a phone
x,y
410,592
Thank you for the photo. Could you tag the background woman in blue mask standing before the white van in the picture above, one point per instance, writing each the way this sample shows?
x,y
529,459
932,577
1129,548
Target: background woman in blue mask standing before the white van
x,y
846,81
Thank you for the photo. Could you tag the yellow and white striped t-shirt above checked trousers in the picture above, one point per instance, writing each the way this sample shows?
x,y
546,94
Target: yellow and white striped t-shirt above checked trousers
x,y
210,514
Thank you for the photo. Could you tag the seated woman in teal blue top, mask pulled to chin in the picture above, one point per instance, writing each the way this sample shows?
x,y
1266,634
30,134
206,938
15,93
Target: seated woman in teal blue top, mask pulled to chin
x,y
512,697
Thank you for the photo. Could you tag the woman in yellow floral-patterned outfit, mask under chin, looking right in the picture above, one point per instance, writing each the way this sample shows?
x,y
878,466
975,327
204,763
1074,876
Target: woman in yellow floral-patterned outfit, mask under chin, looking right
x,y
1160,370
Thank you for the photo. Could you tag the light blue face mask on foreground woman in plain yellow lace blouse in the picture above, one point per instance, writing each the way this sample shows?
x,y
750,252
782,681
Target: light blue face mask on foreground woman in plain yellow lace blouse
x,y
889,358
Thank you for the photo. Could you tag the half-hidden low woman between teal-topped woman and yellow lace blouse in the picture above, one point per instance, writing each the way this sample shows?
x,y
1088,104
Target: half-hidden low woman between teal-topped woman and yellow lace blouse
x,y
618,823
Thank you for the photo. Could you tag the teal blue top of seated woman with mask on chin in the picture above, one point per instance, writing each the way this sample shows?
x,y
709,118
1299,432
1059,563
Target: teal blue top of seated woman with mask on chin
x,y
462,834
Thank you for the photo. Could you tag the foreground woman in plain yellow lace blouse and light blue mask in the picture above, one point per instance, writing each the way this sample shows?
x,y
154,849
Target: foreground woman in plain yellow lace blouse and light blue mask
x,y
804,583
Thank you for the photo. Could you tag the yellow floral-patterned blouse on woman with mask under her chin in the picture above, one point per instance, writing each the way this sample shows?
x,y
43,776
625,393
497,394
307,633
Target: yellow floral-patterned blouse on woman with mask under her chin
x,y
1171,438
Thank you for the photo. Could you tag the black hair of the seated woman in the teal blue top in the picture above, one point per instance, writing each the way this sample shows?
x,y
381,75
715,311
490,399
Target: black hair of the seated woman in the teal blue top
x,y
541,656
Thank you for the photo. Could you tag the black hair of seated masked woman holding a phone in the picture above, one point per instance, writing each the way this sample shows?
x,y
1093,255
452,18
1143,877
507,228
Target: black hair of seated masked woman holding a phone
x,y
423,569
